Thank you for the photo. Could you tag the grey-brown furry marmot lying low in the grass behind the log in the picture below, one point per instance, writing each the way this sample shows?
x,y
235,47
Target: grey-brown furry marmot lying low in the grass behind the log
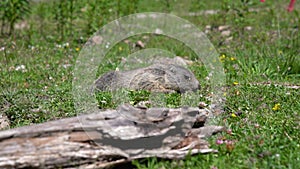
x,y
157,77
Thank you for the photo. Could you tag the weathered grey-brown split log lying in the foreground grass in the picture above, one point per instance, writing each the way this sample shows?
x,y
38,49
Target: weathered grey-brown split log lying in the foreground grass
x,y
106,138
